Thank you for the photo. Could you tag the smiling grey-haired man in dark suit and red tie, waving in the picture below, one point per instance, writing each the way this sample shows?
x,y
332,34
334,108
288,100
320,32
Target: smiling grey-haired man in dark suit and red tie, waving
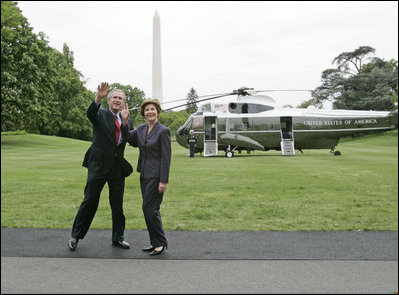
x,y
105,163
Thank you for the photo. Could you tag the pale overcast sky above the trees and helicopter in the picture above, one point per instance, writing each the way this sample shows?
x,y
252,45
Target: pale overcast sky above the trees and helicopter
x,y
215,46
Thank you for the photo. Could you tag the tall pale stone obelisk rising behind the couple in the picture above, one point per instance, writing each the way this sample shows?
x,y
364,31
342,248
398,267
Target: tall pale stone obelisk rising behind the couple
x,y
156,59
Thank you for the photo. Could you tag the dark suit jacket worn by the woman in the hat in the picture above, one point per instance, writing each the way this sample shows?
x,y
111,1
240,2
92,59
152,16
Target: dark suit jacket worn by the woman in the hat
x,y
155,151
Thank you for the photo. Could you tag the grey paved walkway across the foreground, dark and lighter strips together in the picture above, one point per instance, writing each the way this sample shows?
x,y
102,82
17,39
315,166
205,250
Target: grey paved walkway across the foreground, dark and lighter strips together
x,y
39,261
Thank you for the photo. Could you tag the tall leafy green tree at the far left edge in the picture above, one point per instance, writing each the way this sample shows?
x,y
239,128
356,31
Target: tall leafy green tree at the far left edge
x,y
23,59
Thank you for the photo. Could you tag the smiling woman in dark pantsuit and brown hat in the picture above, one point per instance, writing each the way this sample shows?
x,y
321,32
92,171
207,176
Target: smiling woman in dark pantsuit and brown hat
x,y
153,140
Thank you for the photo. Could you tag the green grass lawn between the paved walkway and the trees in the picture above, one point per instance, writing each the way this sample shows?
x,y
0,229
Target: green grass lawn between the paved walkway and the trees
x,y
42,184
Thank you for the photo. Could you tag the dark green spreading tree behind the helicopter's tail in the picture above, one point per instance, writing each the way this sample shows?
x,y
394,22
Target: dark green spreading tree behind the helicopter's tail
x,y
358,85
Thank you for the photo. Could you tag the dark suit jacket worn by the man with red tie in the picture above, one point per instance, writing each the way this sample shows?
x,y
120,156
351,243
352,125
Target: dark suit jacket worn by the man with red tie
x,y
103,151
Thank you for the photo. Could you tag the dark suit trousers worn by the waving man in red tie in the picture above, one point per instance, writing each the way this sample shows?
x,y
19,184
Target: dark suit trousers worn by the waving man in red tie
x,y
89,206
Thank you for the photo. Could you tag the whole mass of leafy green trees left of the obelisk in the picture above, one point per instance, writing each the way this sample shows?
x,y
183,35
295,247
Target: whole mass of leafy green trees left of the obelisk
x,y
41,91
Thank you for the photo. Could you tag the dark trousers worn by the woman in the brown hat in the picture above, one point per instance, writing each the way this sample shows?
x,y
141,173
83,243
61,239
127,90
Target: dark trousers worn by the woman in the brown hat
x,y
152,200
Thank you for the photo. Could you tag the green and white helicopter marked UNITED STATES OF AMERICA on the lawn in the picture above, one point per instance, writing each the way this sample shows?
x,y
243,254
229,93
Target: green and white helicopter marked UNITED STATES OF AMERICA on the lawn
x,y
249,121
